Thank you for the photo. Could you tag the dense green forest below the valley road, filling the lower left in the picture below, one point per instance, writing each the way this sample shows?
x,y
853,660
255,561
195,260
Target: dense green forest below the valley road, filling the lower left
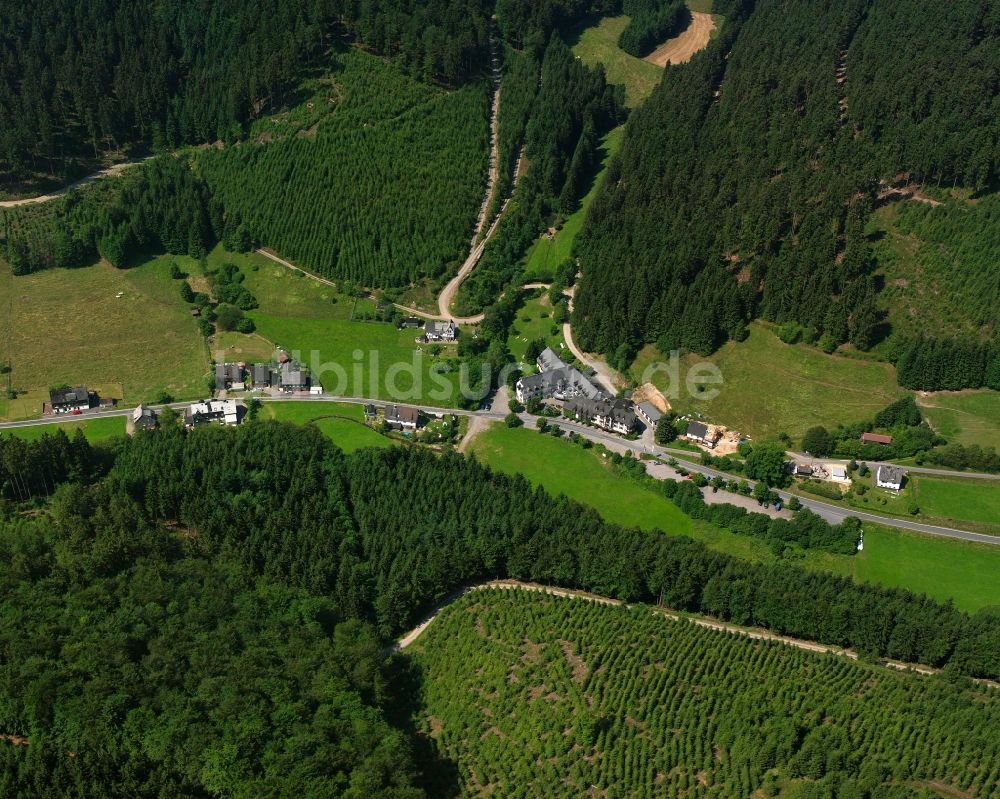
x,y
194,614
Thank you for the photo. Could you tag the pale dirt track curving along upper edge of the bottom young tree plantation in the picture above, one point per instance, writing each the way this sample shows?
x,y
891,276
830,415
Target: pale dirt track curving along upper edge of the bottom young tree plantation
x,y
754,633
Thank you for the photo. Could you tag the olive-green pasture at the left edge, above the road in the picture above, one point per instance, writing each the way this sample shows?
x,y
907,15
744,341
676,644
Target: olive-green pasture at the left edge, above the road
x,y
69,326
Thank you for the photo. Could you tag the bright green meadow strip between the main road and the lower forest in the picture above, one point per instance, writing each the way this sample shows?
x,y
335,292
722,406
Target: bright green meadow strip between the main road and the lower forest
x,y
959,571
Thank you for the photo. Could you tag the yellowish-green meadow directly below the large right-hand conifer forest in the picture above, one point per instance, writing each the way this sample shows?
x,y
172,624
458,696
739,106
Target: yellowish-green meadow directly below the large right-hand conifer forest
x,y
771,387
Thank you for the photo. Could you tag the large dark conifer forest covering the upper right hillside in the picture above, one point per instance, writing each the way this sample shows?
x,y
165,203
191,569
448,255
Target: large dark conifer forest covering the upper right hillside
x,y
744,183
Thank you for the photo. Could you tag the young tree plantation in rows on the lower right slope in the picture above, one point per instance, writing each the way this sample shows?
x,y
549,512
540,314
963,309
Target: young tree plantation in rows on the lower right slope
x,y
536,695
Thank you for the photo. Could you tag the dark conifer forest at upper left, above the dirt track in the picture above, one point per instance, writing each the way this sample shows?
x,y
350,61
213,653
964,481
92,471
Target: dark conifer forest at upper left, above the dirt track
x,y
81,79
